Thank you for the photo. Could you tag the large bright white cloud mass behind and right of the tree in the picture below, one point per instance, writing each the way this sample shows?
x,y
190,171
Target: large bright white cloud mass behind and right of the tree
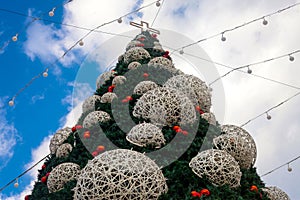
x,y
246,96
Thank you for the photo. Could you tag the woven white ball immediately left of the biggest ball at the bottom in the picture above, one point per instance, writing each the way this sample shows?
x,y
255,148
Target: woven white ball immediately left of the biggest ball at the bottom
x,y
61,175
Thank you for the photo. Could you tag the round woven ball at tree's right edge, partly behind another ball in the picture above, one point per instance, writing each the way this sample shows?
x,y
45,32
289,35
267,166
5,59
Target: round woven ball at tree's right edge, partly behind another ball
x,y
239,143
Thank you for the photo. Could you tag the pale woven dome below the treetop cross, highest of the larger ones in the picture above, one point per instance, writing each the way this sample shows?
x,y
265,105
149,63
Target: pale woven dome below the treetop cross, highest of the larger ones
x,y
136,54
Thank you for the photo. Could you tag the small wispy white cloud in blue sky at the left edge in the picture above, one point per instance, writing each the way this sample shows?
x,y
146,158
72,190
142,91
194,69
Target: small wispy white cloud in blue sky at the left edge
x,y
8,135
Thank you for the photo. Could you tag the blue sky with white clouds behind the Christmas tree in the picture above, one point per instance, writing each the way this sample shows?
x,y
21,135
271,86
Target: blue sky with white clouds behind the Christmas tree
x,y
54,102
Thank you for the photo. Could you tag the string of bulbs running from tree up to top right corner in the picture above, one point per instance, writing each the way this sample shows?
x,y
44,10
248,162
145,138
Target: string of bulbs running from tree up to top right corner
x,y
240,26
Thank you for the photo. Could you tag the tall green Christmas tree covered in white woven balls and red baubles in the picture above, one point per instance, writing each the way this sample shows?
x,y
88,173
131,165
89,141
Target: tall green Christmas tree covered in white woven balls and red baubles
x,y
148,133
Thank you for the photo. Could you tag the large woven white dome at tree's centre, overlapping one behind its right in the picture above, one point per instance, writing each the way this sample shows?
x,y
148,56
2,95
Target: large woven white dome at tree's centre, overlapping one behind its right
x,y
165,106
